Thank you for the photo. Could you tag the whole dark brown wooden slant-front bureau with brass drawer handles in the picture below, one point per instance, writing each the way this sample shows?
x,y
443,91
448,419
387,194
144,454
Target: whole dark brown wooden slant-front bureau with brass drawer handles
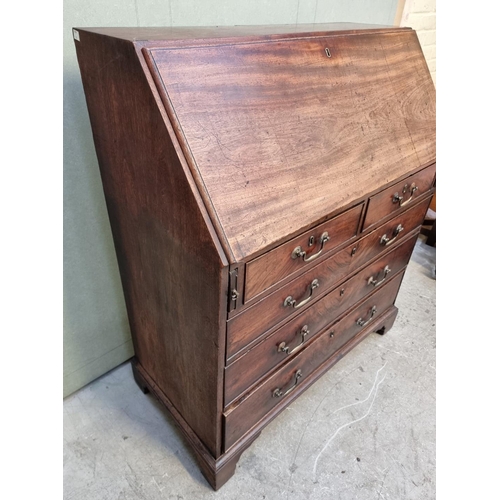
x,y
265,187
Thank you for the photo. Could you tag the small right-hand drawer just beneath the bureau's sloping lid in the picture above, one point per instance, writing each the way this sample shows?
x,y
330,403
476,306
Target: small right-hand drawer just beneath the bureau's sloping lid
x,y
390,200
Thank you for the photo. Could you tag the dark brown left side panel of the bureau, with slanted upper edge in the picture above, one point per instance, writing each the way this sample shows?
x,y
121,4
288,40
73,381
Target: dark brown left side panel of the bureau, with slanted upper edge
x,y
173,275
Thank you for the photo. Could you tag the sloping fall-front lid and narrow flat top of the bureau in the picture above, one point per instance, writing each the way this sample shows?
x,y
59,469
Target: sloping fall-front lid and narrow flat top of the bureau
x,y
282,132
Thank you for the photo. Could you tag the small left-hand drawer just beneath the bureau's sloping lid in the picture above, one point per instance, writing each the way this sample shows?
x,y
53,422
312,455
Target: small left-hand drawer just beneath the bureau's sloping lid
x,y
288,258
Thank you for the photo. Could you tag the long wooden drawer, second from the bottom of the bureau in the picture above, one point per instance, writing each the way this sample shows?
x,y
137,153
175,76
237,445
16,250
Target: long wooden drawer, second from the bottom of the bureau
x,y
291,337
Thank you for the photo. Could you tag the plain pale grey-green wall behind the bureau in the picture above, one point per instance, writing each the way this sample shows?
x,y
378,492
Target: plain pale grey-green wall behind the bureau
x,y
96,333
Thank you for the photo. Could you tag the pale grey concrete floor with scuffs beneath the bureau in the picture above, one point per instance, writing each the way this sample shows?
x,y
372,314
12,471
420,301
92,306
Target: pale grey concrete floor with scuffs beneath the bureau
x,y
366,430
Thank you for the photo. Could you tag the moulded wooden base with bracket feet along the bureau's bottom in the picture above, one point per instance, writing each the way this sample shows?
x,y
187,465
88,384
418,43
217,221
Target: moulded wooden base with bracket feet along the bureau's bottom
x,y
218,471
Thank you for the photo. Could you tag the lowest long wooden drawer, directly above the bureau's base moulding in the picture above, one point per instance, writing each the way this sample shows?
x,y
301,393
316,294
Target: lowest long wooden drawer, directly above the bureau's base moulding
x,y
275,389
